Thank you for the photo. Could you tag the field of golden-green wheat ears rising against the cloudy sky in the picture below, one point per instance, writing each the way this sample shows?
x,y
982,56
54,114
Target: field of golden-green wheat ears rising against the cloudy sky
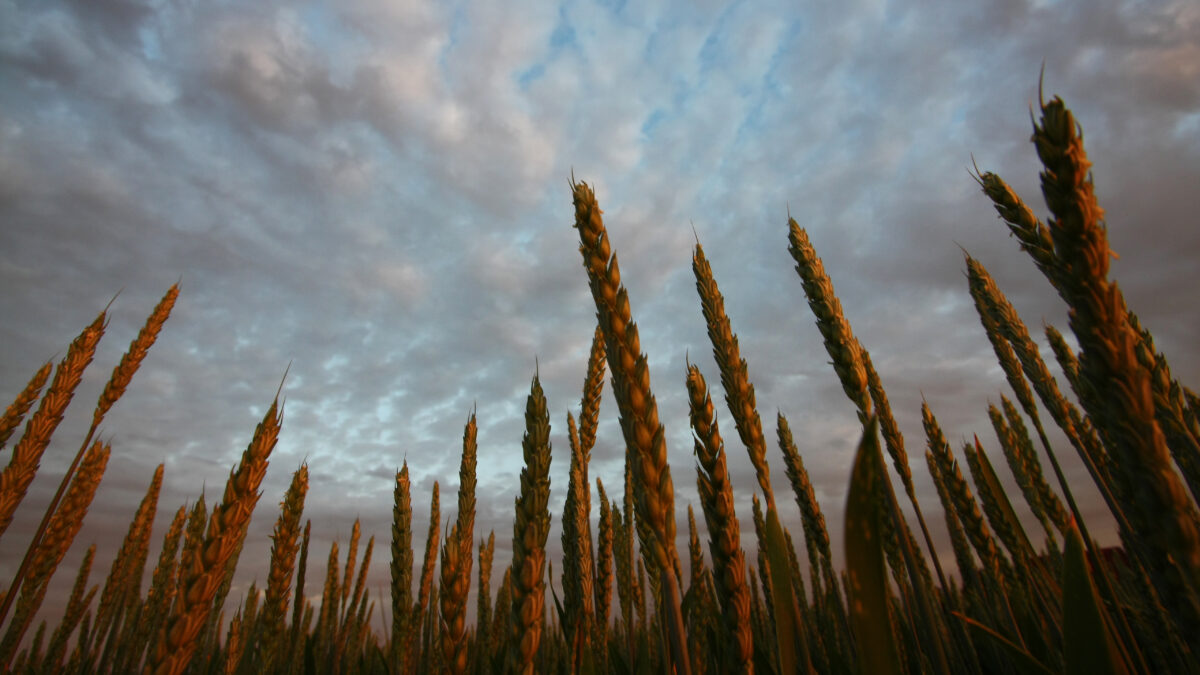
x,y
1017,601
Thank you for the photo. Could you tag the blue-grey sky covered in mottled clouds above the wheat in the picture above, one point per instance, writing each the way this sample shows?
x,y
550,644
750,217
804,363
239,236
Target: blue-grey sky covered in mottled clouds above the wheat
x,y
376,193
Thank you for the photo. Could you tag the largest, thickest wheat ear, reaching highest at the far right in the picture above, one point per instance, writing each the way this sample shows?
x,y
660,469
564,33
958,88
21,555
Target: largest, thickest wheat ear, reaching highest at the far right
x,y
1163,517
